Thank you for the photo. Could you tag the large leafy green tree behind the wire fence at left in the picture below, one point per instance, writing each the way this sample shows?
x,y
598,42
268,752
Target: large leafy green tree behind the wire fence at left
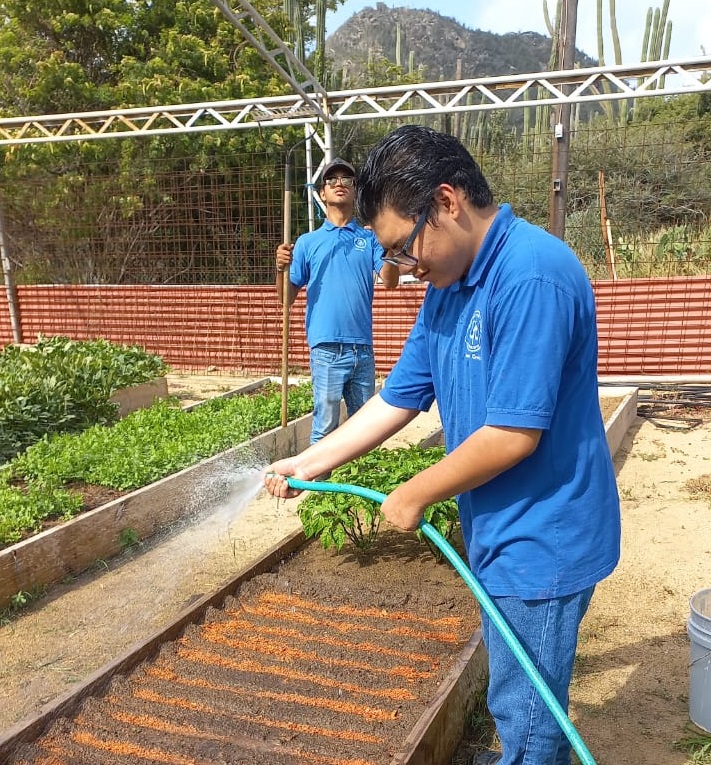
x,y
127,222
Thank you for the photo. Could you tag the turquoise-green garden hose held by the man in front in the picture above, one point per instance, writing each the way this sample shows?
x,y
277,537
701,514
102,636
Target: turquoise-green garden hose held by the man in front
x,y
484,601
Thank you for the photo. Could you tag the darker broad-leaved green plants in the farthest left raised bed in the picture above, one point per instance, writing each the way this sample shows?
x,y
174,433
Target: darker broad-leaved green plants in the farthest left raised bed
x,y
62,385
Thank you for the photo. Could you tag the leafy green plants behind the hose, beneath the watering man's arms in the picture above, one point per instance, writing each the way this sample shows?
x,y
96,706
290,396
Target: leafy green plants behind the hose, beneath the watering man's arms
x,y
336,518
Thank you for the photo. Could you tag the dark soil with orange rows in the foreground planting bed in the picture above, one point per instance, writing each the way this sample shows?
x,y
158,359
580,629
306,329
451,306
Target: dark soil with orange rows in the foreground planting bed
x,y
330,658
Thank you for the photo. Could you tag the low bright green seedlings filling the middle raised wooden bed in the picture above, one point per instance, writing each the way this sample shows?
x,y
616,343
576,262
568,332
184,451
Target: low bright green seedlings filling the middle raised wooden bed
x,y
145,446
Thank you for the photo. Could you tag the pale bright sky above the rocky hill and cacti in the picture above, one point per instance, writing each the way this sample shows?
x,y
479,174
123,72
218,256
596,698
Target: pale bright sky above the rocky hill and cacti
x,y
691,21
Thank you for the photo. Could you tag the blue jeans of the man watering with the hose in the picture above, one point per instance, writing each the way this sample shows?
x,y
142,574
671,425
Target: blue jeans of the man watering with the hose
x,y
548,631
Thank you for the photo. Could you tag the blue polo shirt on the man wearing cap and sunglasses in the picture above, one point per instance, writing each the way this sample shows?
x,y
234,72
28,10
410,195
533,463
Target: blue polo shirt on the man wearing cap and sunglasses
x,y
336,265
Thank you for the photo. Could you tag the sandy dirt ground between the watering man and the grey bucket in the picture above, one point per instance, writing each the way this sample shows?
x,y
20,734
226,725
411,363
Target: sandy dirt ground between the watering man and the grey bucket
x,y
630,695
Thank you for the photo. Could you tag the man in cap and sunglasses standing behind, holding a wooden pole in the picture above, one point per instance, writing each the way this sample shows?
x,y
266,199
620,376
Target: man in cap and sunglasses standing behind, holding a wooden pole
x,y
337,264
